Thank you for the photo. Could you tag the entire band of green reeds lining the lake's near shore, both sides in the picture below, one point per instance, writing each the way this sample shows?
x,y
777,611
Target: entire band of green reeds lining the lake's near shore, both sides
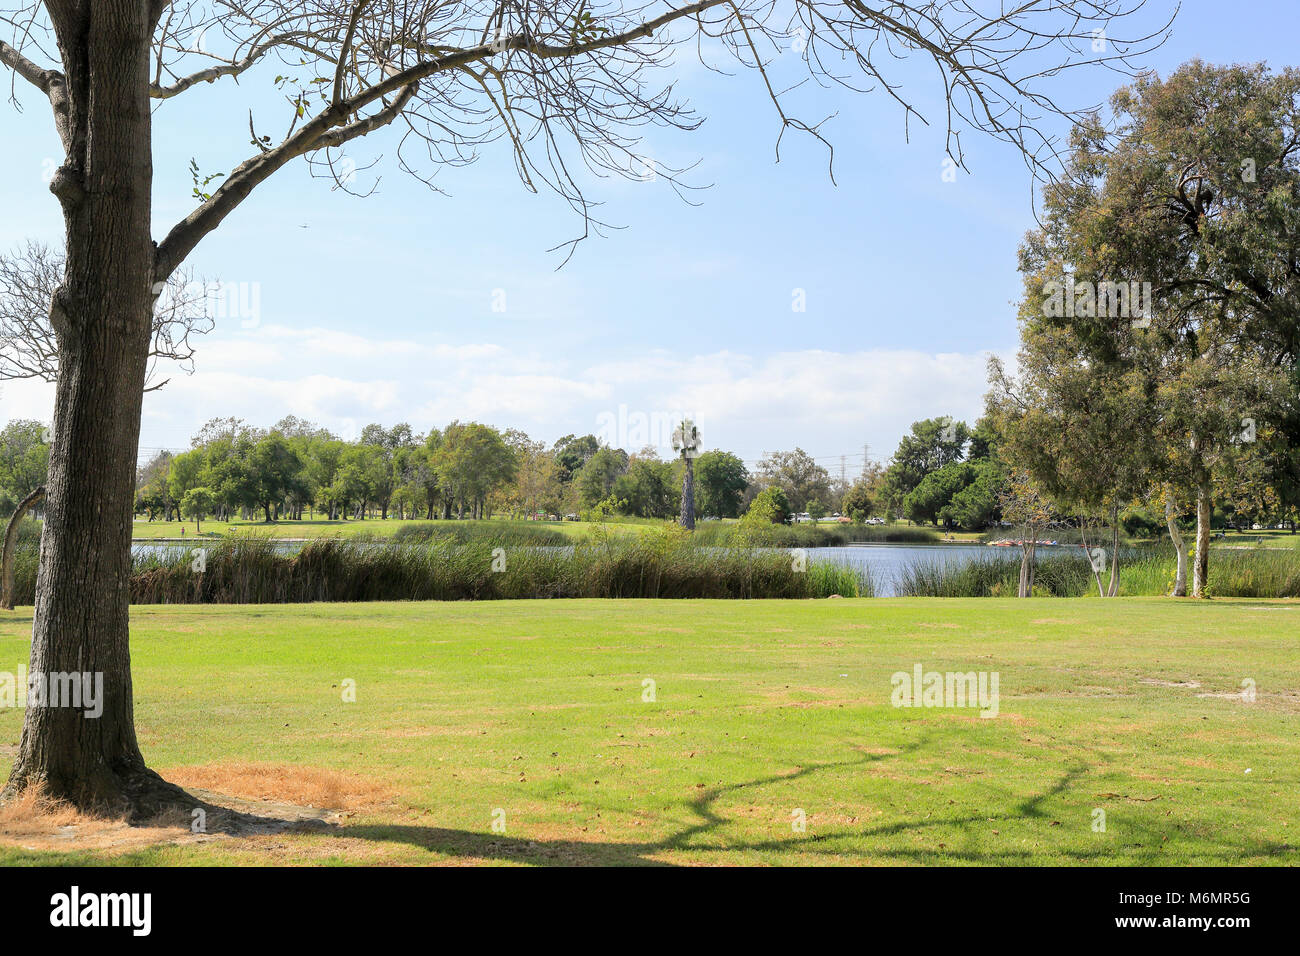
x,y
662,563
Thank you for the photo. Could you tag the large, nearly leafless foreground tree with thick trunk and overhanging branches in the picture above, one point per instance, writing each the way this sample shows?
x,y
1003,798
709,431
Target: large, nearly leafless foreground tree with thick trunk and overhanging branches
x,y
569,88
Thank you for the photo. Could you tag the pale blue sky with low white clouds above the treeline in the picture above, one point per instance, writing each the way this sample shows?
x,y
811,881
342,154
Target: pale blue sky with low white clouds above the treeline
x,y
413,306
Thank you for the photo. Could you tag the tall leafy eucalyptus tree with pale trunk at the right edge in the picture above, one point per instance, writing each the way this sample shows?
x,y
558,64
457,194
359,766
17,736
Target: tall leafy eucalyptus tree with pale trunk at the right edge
x,y
1171,256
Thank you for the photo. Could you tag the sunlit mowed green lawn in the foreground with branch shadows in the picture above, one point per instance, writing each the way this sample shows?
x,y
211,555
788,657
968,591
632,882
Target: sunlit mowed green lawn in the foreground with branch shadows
x,y
761,710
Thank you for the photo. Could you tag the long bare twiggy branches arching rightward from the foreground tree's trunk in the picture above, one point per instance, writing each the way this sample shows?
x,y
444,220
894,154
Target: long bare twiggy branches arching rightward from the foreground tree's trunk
x,y
551,76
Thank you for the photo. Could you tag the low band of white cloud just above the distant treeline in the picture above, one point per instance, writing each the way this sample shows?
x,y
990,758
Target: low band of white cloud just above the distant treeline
x,y
826,403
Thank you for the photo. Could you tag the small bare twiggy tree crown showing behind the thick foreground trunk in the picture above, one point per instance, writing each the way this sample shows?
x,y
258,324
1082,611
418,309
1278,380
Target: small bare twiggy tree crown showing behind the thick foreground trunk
x,y
29,348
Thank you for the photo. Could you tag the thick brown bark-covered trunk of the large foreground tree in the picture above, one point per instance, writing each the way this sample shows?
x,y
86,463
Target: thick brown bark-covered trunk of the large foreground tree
x,y
102,315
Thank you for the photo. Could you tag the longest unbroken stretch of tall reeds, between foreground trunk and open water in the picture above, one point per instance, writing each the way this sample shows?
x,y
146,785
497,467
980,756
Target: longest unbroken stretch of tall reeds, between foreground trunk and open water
x,y
660,564
